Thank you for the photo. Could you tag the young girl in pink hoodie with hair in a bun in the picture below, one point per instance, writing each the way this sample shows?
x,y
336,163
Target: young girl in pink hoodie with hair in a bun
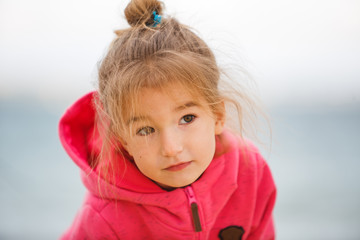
x,y
151,144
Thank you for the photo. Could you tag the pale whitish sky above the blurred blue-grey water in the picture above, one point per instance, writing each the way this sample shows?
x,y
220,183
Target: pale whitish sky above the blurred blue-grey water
x,y
297,52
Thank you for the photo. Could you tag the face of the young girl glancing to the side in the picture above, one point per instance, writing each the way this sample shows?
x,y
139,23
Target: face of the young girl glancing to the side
x,y
172,139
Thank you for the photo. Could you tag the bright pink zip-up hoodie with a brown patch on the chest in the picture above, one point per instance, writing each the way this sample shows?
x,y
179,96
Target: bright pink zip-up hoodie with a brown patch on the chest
x,y
233,199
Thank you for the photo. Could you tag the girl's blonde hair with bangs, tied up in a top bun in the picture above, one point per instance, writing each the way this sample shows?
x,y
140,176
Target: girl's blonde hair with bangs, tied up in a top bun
x,y
146,56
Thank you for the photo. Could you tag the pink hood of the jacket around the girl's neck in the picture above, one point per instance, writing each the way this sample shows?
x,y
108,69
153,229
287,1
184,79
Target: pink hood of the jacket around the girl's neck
x,y
76,131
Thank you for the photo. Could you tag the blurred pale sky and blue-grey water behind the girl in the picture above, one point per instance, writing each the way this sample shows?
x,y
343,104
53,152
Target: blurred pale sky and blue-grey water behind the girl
x,y
304,56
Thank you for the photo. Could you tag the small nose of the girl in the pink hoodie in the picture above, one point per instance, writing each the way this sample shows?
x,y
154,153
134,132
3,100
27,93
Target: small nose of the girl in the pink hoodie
x,y
171,143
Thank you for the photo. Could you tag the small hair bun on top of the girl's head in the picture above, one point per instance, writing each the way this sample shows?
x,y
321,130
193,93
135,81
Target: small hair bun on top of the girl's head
x,y
139,12
